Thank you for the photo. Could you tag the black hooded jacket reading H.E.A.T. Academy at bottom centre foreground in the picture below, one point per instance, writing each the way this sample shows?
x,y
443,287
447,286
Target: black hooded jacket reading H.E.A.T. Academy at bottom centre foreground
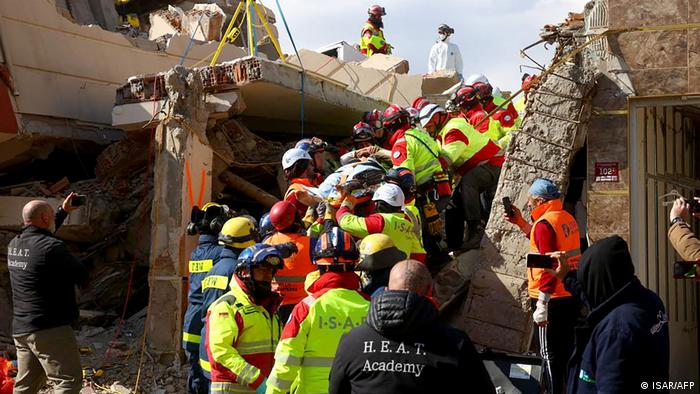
x,y
401,348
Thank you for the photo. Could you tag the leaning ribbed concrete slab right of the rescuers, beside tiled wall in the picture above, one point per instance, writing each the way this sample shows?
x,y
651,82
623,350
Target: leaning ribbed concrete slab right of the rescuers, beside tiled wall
x,y
495,312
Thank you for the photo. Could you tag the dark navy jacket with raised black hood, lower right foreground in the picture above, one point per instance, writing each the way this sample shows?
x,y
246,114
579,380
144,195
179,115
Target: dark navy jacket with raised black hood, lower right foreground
x,y
624,341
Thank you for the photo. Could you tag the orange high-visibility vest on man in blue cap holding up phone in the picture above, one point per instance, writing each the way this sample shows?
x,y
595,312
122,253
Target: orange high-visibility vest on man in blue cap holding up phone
x,y
567,239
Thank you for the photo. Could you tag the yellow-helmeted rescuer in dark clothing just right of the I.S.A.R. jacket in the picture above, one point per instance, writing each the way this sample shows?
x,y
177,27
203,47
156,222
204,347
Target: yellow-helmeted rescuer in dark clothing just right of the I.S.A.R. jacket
x,y
378,254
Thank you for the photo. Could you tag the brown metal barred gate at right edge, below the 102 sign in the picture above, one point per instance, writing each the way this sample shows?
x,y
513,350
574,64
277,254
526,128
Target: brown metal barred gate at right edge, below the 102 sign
x,y
663,150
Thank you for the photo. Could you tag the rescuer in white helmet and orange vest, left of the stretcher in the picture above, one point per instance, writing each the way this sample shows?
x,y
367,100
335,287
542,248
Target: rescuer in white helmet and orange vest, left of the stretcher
x,y
299,171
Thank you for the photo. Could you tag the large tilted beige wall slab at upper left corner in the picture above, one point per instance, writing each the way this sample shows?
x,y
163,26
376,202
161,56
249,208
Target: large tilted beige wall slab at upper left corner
x,y
71,71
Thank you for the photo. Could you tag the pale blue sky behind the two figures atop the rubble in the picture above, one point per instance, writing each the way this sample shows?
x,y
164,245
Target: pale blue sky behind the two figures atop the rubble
x,y
490,33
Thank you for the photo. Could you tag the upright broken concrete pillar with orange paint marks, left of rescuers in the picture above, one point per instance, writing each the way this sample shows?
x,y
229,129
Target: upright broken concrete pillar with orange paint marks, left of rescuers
x,y
181,149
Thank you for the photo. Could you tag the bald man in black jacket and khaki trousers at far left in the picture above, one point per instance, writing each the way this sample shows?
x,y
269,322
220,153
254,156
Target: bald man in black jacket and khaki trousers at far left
x,y
43,275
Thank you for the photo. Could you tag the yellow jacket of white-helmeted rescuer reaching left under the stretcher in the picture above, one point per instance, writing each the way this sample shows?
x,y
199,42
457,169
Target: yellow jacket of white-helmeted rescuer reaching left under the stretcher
x,y
398,226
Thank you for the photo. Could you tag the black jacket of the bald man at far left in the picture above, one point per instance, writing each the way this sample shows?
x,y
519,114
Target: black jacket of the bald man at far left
x,y
43,275
